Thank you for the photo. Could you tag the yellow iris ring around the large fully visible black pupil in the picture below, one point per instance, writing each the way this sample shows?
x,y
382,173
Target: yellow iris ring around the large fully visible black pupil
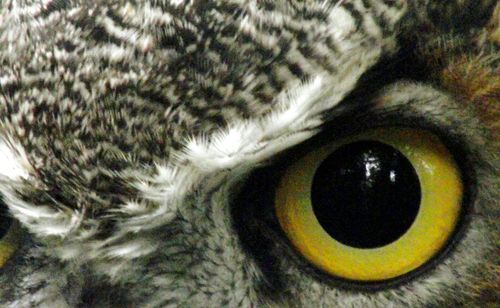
x,y
438,213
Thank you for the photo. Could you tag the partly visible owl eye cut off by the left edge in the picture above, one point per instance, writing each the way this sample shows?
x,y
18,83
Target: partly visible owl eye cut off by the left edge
x,y
9,235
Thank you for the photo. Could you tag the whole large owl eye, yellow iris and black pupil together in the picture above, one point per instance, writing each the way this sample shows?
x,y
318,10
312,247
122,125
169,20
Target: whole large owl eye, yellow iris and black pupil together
x,y
374,206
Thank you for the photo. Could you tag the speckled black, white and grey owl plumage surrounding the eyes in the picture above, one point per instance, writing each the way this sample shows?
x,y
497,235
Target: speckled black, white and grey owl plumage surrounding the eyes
x,y
129,125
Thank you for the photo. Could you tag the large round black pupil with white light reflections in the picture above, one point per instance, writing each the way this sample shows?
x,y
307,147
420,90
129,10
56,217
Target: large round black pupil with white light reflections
x,y
366,194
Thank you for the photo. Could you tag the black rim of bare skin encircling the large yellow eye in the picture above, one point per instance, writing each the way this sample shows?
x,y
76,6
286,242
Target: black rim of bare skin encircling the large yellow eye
x,y
269,177
